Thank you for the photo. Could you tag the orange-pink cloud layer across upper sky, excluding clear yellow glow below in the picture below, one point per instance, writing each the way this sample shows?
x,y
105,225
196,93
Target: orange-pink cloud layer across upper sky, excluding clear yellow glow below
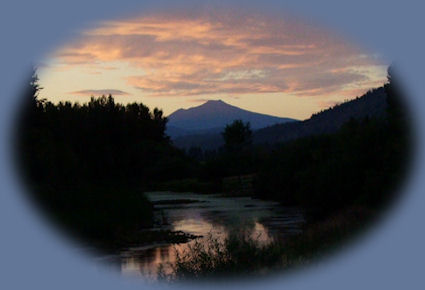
x,y
186,55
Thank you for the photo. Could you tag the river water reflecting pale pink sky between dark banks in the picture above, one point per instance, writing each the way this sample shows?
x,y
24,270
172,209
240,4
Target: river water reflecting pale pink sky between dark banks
x,y
206,215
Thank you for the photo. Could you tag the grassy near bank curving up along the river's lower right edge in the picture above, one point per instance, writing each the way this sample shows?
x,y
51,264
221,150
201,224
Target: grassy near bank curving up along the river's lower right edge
x,y
242,255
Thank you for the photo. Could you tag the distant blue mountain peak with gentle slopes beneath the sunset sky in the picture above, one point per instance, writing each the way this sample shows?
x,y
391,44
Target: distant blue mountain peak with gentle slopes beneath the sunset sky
x,y
213,116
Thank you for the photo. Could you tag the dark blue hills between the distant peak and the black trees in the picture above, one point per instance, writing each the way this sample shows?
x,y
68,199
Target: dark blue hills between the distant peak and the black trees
x,y
372,104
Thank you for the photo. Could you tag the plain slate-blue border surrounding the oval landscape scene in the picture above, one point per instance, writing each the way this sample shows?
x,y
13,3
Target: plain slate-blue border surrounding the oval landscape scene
x,y
33,256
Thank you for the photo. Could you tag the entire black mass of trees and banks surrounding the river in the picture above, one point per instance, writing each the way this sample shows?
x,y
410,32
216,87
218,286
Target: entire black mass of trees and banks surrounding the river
x,y
89,164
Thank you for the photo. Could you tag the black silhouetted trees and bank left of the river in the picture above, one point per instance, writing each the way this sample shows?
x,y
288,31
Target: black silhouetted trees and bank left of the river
x,y
88,165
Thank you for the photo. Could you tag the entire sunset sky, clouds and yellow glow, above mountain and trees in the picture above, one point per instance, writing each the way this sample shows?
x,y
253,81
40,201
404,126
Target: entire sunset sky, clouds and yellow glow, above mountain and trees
x,y
274,65
